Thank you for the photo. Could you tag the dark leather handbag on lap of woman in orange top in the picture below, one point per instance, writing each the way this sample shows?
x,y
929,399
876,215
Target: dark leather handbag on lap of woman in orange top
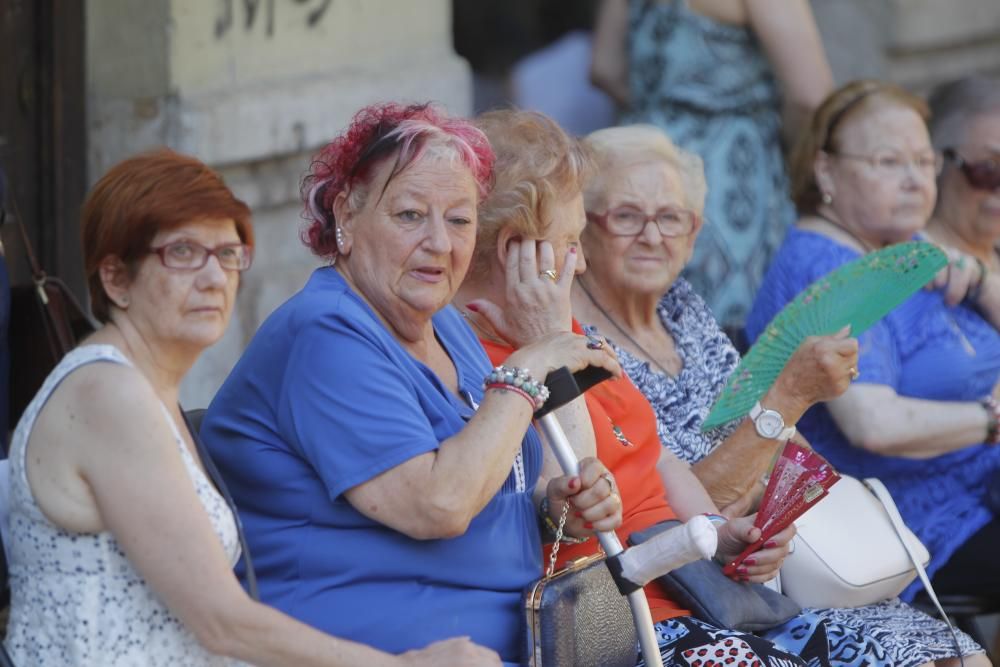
x,y
715,598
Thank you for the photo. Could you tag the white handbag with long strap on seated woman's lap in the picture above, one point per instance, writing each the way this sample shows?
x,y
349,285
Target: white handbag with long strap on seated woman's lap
x,y
849,549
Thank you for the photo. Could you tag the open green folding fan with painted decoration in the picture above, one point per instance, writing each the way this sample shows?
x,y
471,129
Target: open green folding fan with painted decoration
x,y
858,293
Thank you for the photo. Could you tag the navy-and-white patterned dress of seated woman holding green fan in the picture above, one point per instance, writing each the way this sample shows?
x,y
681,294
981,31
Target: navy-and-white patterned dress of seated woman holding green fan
x,y
888,634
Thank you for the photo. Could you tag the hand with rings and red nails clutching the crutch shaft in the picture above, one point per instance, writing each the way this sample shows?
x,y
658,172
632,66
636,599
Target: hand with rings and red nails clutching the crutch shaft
x,y
595,504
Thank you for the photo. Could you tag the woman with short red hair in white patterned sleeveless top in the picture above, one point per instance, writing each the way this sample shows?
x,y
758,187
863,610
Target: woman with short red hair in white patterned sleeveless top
x,y
121,549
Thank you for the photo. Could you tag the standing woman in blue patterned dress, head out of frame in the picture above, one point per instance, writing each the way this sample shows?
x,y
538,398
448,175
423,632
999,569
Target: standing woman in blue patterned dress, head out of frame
x,y
724,79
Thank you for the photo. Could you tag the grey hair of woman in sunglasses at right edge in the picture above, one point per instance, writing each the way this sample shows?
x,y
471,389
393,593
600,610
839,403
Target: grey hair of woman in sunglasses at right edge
x,y
954,103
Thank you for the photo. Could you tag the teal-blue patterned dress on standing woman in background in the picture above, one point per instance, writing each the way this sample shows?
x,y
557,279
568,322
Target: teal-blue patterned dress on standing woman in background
x,y
710,88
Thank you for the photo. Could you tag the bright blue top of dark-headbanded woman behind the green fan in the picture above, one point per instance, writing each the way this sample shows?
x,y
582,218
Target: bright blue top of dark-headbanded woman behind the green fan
x,y
923,349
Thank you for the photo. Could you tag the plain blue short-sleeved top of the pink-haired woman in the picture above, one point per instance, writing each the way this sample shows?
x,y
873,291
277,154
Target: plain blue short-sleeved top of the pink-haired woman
x,y
325,399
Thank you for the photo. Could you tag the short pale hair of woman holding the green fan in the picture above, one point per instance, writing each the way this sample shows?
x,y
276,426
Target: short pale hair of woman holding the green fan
x,y
632,143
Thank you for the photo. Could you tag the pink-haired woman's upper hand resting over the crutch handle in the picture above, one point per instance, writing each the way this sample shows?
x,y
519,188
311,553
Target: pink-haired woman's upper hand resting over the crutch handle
x,y
568,349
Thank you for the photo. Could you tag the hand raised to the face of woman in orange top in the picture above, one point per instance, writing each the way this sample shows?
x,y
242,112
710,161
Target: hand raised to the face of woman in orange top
x,y
537,305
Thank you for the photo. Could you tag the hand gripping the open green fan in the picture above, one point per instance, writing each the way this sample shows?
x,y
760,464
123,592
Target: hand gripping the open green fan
x,y
820,370
